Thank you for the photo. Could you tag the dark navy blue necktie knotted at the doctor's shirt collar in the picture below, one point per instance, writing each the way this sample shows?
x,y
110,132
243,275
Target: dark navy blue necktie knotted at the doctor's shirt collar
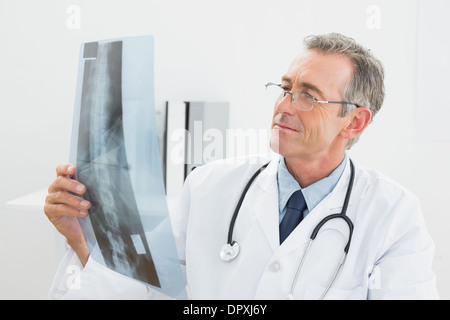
x,y
293,216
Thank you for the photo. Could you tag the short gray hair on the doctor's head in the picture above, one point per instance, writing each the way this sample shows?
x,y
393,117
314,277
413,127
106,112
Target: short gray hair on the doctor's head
x,y
366,87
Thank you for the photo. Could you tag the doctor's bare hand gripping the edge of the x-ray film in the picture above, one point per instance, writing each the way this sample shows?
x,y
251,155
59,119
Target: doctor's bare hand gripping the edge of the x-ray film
x,y
63,209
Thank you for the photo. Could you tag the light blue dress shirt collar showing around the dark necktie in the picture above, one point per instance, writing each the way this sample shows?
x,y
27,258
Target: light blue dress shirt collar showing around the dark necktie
x,y
313,194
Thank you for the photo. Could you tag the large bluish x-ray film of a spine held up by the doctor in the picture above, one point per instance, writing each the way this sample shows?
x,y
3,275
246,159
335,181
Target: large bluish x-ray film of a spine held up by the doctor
x,y
115,148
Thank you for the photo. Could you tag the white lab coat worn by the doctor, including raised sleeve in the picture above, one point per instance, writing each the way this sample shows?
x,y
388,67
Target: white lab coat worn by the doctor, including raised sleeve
x,y
390,255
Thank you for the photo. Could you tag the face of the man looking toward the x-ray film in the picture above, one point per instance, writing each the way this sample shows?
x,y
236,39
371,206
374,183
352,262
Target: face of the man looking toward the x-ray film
x,y
308,134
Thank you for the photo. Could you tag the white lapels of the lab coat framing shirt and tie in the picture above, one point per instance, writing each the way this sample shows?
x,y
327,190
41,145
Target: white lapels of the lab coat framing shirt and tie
x,y
267,213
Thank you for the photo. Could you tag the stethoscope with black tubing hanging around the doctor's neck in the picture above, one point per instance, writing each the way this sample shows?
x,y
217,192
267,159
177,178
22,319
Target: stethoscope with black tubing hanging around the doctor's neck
x,y
231,249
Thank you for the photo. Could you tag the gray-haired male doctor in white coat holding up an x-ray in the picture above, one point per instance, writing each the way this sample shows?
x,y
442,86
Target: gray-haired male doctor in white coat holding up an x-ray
x,y
325,100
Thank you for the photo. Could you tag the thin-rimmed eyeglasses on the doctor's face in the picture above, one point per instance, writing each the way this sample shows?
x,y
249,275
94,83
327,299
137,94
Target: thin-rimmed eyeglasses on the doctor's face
x,y
300,100
